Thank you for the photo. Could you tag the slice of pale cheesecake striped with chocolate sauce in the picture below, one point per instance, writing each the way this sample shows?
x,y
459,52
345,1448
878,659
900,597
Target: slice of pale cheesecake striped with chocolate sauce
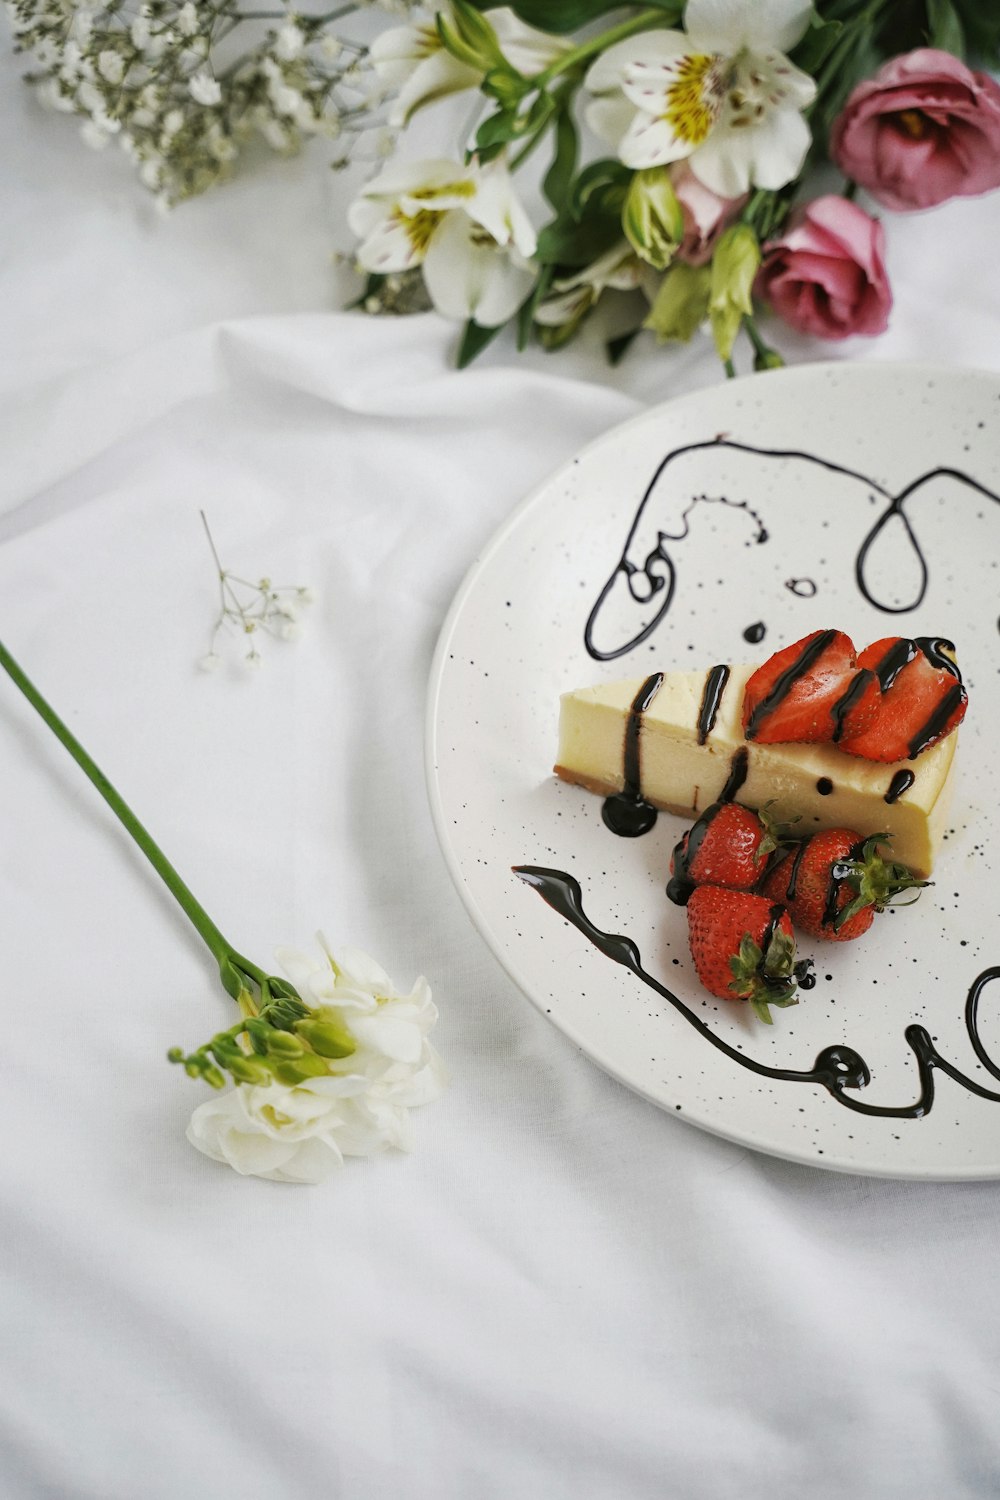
x,y
675,740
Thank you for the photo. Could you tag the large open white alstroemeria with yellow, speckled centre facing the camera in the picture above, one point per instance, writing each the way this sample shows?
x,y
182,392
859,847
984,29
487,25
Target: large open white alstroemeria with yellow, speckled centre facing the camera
x,y
723,95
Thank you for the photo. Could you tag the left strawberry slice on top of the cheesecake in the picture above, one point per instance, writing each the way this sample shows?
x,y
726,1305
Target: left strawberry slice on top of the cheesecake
x,y
809,692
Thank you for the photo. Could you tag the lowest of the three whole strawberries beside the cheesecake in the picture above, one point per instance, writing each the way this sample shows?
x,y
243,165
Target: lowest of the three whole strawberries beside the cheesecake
x,y
743,949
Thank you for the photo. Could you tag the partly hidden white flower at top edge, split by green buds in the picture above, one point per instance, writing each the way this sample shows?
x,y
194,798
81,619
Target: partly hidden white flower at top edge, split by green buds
x,y
415,61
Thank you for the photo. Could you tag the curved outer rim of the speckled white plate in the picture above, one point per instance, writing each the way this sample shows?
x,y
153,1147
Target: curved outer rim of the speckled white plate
x,y
436,682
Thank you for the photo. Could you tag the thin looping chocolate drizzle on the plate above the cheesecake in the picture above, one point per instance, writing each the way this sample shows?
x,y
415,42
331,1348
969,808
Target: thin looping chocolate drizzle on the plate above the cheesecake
x,y
657,574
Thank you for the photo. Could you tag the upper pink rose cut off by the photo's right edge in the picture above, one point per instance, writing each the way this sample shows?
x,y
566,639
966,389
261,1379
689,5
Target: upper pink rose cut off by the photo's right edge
x,y
924,130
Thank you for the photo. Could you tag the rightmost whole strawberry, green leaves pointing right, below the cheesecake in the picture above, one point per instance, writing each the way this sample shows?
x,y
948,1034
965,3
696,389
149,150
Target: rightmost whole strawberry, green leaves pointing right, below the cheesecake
x,y
836,883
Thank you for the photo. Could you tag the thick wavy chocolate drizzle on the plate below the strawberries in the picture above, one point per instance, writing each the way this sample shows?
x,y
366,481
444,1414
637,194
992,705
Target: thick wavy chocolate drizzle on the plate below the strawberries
x,y
837,1069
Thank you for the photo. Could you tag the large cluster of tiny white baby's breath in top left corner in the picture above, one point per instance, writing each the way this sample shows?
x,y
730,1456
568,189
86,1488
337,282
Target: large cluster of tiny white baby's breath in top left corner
x,y
182,95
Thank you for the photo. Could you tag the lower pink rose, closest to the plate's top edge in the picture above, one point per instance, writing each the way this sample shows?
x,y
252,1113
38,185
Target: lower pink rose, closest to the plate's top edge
x,y
827,274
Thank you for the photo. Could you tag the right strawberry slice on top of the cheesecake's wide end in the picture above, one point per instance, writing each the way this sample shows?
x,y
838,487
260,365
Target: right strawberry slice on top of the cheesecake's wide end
x,y
921,700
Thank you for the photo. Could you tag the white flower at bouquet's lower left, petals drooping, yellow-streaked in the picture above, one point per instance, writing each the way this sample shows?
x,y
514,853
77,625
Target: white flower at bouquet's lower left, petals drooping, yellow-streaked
x,y
464,226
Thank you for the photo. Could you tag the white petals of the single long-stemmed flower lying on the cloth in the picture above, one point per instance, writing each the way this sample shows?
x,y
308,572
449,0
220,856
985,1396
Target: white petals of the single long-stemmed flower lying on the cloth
x,y
302,1133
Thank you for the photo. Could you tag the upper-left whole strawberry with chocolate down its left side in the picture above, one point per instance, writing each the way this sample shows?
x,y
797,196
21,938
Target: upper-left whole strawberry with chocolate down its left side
x,y
726,847
